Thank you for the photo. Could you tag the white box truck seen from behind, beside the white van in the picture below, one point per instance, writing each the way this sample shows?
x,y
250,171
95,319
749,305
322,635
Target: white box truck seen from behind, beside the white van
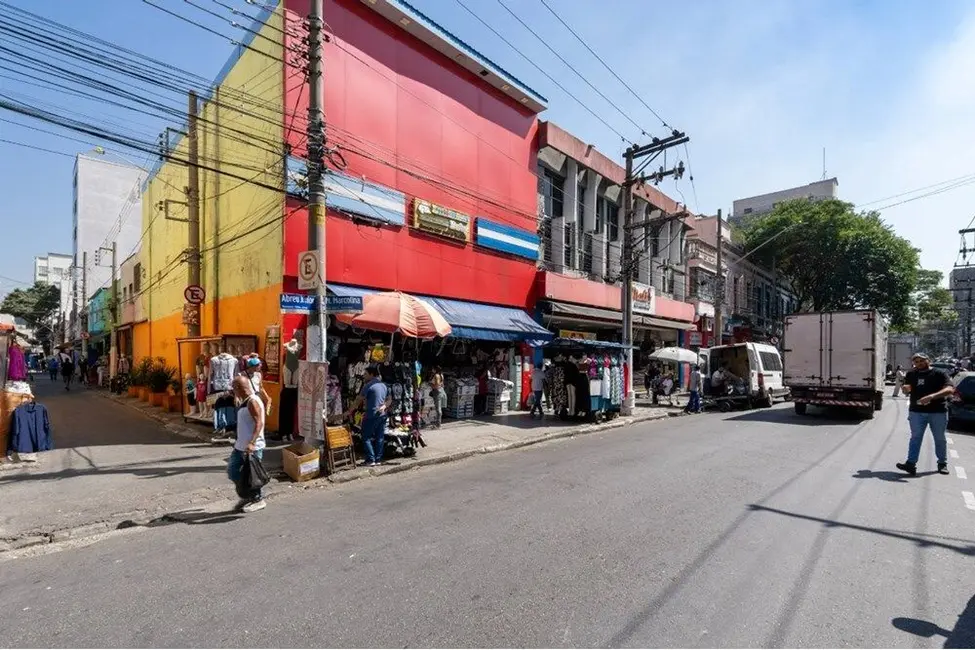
x,y
836,358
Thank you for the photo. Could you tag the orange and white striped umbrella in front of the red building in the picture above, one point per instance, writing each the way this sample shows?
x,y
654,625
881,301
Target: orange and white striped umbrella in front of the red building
x,y
395,311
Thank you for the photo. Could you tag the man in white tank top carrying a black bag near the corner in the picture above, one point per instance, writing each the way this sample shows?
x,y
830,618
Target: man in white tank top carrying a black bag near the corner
x,y
245,468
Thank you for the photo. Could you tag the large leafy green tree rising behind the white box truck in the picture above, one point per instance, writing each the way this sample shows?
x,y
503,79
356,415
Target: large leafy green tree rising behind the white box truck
x,y
836,258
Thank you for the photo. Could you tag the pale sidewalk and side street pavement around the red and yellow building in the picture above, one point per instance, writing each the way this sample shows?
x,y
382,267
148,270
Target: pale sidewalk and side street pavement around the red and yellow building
x,y
119,460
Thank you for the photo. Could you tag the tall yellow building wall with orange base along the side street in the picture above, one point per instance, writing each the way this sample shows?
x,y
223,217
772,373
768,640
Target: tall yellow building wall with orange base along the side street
x,y
241,155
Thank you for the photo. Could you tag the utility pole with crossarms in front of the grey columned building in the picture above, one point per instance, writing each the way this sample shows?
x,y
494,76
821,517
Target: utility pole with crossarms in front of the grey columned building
x,y
627,258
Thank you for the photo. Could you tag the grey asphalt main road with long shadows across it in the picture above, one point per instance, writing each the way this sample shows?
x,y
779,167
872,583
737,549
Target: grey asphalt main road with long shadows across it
x,y
753,529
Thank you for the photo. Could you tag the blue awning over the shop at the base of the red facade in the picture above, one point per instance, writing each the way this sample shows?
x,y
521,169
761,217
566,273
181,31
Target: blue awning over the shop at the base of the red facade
x,y
472,320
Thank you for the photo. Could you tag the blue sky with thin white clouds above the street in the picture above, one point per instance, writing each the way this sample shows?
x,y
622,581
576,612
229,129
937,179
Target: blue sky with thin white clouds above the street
x,y
760,87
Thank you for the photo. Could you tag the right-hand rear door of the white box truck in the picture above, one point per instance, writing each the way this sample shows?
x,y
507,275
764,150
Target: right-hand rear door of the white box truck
x,y
851,349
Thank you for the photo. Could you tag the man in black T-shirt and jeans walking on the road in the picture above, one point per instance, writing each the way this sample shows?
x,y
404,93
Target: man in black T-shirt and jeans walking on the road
x,y
928,389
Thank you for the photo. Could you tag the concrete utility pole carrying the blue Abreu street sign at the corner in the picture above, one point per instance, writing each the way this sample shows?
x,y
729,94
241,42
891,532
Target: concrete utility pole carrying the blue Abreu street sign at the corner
x,y
317,211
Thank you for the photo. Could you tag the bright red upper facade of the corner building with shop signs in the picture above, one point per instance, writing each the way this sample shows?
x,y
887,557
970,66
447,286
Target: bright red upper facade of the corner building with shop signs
x,y
414,124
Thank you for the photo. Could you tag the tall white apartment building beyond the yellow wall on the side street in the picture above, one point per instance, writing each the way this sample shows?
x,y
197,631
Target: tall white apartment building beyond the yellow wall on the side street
x,y
107,208
